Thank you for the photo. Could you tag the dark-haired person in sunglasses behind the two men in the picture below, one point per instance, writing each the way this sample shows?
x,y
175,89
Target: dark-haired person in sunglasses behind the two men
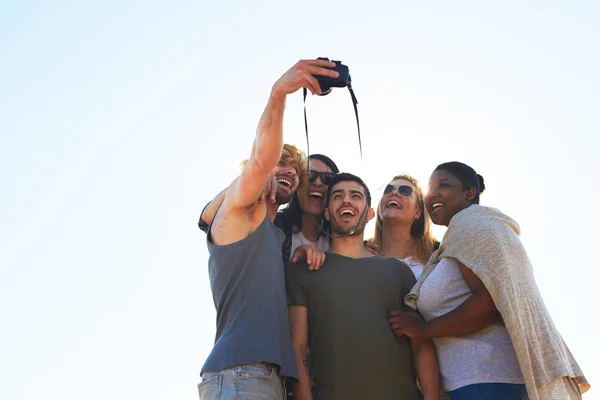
x,y
302,220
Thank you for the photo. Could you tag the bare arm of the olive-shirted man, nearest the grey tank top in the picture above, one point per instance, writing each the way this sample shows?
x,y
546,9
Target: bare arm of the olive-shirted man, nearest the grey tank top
x,y
299,326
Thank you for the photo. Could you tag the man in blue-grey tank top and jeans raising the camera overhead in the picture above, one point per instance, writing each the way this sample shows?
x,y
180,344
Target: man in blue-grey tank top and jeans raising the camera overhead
x,y
252,349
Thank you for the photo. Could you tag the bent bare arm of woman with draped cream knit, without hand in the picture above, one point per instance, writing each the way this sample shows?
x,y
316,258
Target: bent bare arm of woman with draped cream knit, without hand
x,y
474,314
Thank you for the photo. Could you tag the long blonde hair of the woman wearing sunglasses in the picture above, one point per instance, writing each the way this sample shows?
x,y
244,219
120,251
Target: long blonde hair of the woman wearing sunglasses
x,y
424,242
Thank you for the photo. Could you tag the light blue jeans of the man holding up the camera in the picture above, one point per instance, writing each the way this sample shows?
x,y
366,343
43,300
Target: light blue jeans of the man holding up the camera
x,y
252,382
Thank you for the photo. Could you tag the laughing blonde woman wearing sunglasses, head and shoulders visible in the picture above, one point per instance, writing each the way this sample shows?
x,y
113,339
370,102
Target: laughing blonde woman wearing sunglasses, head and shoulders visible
x,y
402,227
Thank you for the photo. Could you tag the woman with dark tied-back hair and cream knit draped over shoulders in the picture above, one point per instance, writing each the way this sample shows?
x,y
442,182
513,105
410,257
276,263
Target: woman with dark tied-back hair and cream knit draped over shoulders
x,y
493,335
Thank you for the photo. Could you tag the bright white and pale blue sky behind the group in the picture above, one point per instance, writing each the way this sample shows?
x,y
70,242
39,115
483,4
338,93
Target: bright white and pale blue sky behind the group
x,y
120,120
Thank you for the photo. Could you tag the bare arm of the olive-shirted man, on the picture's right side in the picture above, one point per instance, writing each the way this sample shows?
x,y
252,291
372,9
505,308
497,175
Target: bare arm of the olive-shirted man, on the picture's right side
x,y
426,367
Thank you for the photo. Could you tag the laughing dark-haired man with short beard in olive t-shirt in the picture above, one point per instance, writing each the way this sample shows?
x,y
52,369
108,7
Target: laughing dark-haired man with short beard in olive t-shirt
x,y
340,313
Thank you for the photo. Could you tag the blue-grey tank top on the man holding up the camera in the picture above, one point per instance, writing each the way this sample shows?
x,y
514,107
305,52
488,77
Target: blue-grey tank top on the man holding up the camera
x,y
247,279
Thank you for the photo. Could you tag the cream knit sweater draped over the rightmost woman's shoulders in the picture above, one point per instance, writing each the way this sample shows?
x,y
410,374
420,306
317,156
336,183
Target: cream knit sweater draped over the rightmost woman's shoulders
x,y
487,242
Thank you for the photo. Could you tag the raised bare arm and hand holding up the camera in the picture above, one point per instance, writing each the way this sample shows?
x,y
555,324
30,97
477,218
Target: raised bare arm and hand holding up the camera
x,y
266,150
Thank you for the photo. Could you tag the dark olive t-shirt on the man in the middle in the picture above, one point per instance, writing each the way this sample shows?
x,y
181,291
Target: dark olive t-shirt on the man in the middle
x,y
353,351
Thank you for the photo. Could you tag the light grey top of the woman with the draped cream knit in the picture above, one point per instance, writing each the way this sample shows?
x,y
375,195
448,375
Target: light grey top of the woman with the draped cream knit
x,y
486,356
